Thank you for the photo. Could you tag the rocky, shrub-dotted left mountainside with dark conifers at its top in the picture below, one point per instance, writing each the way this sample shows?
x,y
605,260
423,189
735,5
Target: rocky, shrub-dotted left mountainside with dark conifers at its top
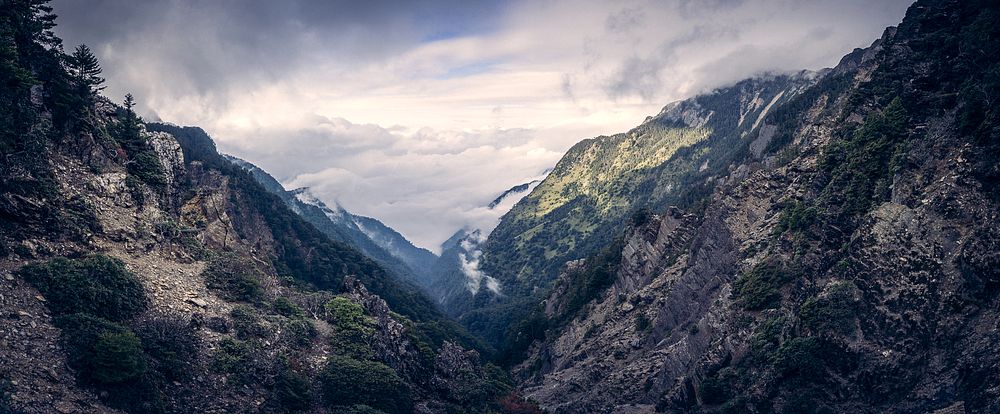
x,y
144,272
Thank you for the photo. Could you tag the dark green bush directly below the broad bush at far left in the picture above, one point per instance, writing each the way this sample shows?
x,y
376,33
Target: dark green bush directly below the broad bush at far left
x,y
101,351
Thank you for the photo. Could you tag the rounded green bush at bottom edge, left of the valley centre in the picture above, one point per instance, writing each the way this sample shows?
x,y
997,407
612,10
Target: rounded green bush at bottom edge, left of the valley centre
x,y
346,382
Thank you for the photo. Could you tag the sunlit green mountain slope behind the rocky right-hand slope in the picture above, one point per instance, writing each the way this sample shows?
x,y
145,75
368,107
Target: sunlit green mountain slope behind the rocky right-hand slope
x,y
674,157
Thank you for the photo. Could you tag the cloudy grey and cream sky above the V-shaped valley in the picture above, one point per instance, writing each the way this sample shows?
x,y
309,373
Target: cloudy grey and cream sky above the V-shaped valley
x,y
420,112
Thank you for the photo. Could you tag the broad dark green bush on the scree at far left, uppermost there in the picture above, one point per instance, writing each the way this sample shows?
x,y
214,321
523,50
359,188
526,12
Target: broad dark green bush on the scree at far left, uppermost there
x,y
98,285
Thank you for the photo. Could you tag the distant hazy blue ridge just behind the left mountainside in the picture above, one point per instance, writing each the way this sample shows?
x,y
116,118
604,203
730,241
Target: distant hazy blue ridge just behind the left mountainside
x,y
373,238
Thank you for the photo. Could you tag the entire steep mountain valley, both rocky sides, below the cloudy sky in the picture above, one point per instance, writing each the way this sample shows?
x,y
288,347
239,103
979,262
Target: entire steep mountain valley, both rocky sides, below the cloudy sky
x,y
804,242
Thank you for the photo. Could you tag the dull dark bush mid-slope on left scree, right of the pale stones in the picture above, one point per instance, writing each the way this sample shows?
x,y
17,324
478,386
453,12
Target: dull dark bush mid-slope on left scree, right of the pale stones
x,y
235,277
